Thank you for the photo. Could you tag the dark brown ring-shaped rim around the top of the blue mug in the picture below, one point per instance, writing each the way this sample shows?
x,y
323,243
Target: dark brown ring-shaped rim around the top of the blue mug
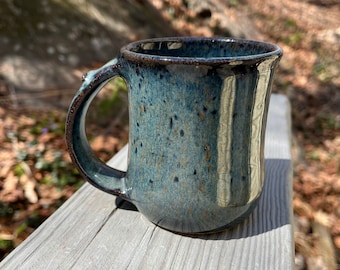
x,y
127,51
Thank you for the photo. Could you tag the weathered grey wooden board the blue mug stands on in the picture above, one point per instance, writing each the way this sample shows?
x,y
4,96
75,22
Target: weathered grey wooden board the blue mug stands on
x,y
94,230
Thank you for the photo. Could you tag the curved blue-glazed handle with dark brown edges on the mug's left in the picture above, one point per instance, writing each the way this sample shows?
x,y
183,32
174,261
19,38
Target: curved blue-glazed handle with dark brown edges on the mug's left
x,y
88,164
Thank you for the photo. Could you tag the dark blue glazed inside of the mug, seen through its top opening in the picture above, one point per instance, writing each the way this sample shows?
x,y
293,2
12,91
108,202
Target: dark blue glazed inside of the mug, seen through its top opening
x,y
200,49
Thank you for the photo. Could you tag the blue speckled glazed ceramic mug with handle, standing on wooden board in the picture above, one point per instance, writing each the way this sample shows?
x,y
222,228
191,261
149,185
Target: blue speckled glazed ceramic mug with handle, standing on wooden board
x,y
197,117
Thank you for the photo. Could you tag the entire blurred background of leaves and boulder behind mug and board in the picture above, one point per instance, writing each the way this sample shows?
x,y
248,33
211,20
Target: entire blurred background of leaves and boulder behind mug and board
x,y
46,46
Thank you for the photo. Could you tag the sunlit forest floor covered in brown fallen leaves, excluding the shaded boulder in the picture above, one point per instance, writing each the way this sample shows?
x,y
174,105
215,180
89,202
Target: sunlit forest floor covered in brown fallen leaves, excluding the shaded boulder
x,y
36,175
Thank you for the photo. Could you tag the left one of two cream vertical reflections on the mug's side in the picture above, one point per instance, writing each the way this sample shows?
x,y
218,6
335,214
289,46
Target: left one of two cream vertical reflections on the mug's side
x,y
224,139
